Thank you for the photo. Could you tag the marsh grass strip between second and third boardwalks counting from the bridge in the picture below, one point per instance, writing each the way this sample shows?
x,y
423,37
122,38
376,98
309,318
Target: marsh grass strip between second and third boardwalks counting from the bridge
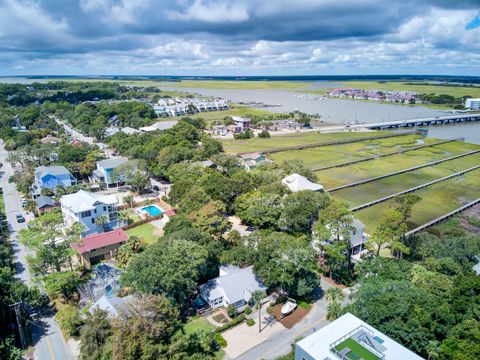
x,y
348,174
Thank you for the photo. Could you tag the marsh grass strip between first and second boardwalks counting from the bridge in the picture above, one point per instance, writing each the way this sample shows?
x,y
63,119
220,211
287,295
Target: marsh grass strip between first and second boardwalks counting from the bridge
x,y
323,156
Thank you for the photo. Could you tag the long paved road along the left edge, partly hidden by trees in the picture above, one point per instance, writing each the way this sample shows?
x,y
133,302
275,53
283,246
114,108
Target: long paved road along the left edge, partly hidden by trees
x,y
48,339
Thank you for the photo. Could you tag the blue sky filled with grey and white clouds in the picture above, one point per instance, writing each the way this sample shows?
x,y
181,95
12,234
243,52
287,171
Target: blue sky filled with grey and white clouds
x,y
239,37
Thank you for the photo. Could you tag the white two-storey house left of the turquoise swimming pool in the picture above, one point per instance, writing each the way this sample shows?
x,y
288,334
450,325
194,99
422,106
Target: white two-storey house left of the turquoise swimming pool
x,y
85,208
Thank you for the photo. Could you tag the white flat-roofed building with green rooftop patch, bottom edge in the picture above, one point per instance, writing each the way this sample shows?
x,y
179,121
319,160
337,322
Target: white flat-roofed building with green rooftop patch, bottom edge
x,y
348,337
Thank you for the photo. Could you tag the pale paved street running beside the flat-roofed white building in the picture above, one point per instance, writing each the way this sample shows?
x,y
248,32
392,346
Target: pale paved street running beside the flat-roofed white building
x,y
280,343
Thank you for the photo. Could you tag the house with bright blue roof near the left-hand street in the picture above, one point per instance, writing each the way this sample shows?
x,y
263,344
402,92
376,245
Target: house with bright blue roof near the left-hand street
x,y
49,177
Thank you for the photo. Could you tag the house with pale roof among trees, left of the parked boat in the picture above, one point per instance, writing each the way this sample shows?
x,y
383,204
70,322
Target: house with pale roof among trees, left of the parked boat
x,y
233,286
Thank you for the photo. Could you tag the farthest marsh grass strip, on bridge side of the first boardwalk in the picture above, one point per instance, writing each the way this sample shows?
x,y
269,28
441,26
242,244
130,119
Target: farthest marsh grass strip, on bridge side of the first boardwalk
x,y
256,144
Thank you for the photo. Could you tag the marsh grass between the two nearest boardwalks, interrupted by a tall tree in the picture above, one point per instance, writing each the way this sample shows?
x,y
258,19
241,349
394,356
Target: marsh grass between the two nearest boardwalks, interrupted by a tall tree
x,y
437,200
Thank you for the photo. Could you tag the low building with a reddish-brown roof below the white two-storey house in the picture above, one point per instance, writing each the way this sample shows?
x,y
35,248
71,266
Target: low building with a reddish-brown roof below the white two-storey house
x,y
98,247
